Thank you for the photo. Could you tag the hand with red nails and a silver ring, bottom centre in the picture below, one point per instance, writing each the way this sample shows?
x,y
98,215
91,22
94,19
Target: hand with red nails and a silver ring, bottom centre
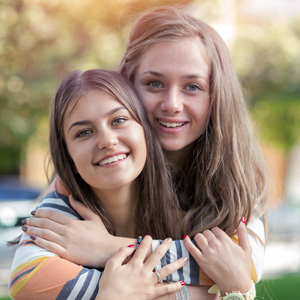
x,y
136,279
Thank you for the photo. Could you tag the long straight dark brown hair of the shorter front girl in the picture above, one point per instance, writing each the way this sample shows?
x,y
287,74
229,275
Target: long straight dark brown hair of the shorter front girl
x,y
156,210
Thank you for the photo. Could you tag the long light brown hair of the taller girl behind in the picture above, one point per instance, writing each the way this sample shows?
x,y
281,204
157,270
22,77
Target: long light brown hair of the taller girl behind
x,y
225,179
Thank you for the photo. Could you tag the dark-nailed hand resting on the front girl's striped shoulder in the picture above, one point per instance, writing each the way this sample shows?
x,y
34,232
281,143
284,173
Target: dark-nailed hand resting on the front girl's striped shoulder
x,y
72,239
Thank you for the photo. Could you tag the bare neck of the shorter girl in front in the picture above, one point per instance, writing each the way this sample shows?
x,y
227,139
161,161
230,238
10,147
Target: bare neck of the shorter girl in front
x,y
120,206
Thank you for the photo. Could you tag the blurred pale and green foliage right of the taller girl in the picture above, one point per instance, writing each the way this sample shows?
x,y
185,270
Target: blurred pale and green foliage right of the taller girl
x,y
266,55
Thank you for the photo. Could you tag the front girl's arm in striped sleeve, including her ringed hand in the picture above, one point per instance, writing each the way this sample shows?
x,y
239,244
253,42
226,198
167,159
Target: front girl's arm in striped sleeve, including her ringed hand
x,y
40,274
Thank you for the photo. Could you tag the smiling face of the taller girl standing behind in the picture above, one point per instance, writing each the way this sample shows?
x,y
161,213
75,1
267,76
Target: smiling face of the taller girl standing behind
x,y
173,83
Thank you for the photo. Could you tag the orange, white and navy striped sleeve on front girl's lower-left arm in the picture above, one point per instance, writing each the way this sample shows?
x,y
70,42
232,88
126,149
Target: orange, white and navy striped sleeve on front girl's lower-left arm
x,y
38,274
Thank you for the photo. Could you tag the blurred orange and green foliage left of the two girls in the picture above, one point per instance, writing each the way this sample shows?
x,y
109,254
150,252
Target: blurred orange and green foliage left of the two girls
x,y
40,41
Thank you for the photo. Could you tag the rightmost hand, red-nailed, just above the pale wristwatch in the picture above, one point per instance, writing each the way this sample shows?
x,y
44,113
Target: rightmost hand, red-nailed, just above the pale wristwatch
x,y
225,262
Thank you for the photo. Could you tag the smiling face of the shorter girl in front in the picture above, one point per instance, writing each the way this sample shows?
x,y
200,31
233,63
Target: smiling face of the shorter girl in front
x,y
105,142
